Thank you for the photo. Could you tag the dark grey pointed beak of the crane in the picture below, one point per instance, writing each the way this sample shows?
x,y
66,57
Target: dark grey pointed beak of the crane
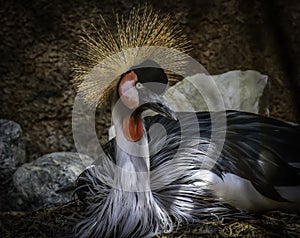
x,y
155,102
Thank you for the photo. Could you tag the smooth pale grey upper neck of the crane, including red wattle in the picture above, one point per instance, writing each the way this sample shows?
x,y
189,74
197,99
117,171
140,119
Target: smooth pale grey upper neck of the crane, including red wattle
x,y
132,156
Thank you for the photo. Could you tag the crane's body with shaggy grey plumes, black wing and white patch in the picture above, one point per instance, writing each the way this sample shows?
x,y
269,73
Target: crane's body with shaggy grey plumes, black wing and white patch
x,y
181,185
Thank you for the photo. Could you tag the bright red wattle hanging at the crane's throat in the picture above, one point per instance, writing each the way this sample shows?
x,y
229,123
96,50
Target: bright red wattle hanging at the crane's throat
x,y
133,128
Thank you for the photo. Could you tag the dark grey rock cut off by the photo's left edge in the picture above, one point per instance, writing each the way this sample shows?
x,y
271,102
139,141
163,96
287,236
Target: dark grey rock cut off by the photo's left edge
x,y
12,155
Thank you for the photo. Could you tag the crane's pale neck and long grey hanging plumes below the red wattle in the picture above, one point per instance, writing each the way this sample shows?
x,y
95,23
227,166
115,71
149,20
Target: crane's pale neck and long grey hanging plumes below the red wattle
x,y
133,201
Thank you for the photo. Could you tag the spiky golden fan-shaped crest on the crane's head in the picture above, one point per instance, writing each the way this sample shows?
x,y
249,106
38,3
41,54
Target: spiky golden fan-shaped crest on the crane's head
x,y
144,35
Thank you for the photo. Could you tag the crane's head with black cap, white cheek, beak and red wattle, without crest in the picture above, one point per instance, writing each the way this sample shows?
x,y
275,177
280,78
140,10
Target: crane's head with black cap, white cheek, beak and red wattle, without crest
x,y
141,89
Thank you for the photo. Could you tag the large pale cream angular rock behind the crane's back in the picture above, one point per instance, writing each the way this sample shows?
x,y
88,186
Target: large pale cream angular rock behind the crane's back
x,y
238,90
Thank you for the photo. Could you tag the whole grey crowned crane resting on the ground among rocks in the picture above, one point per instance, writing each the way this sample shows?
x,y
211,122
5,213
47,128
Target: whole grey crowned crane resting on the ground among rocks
x,y
151,178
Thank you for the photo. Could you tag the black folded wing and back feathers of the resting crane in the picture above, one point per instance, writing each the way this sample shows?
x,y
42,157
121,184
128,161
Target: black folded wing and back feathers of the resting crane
x,y
262,150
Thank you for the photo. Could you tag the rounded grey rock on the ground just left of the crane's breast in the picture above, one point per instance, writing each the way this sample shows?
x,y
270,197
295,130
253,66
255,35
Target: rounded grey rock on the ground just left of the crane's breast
x,y
49,180
